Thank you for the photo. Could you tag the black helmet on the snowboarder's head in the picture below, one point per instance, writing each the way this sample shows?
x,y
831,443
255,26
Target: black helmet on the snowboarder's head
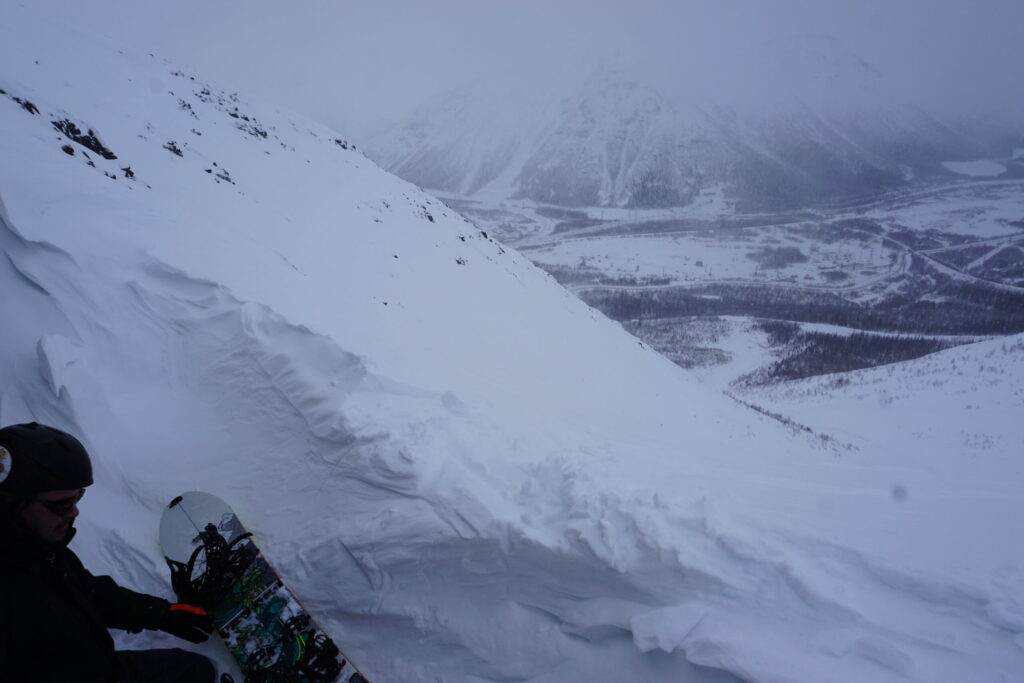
x,y
35,458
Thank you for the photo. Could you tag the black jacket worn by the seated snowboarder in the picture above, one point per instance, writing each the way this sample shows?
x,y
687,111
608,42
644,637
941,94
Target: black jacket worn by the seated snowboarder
x,y
55,615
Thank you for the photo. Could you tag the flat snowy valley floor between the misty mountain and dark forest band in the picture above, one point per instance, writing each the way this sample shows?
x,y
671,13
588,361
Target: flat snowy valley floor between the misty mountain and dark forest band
x,y
846,250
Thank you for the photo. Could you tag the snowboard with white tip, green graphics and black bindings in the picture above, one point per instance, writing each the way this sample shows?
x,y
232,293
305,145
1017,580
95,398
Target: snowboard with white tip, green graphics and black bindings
x,y
217,566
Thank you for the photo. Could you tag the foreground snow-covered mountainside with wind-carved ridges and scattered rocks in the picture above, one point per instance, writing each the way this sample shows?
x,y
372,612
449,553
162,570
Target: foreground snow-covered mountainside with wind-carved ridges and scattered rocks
x,y
464,473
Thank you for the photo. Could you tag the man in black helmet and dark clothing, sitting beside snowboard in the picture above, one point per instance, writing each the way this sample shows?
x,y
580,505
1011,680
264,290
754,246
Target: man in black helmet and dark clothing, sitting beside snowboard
x,y
54,614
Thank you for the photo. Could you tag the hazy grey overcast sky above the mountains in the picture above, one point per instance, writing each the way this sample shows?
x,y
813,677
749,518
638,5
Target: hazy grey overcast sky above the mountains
x,y
349,64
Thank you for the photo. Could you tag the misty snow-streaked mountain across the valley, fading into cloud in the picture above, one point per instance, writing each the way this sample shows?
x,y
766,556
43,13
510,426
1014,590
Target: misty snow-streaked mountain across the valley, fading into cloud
x,y
619,142
